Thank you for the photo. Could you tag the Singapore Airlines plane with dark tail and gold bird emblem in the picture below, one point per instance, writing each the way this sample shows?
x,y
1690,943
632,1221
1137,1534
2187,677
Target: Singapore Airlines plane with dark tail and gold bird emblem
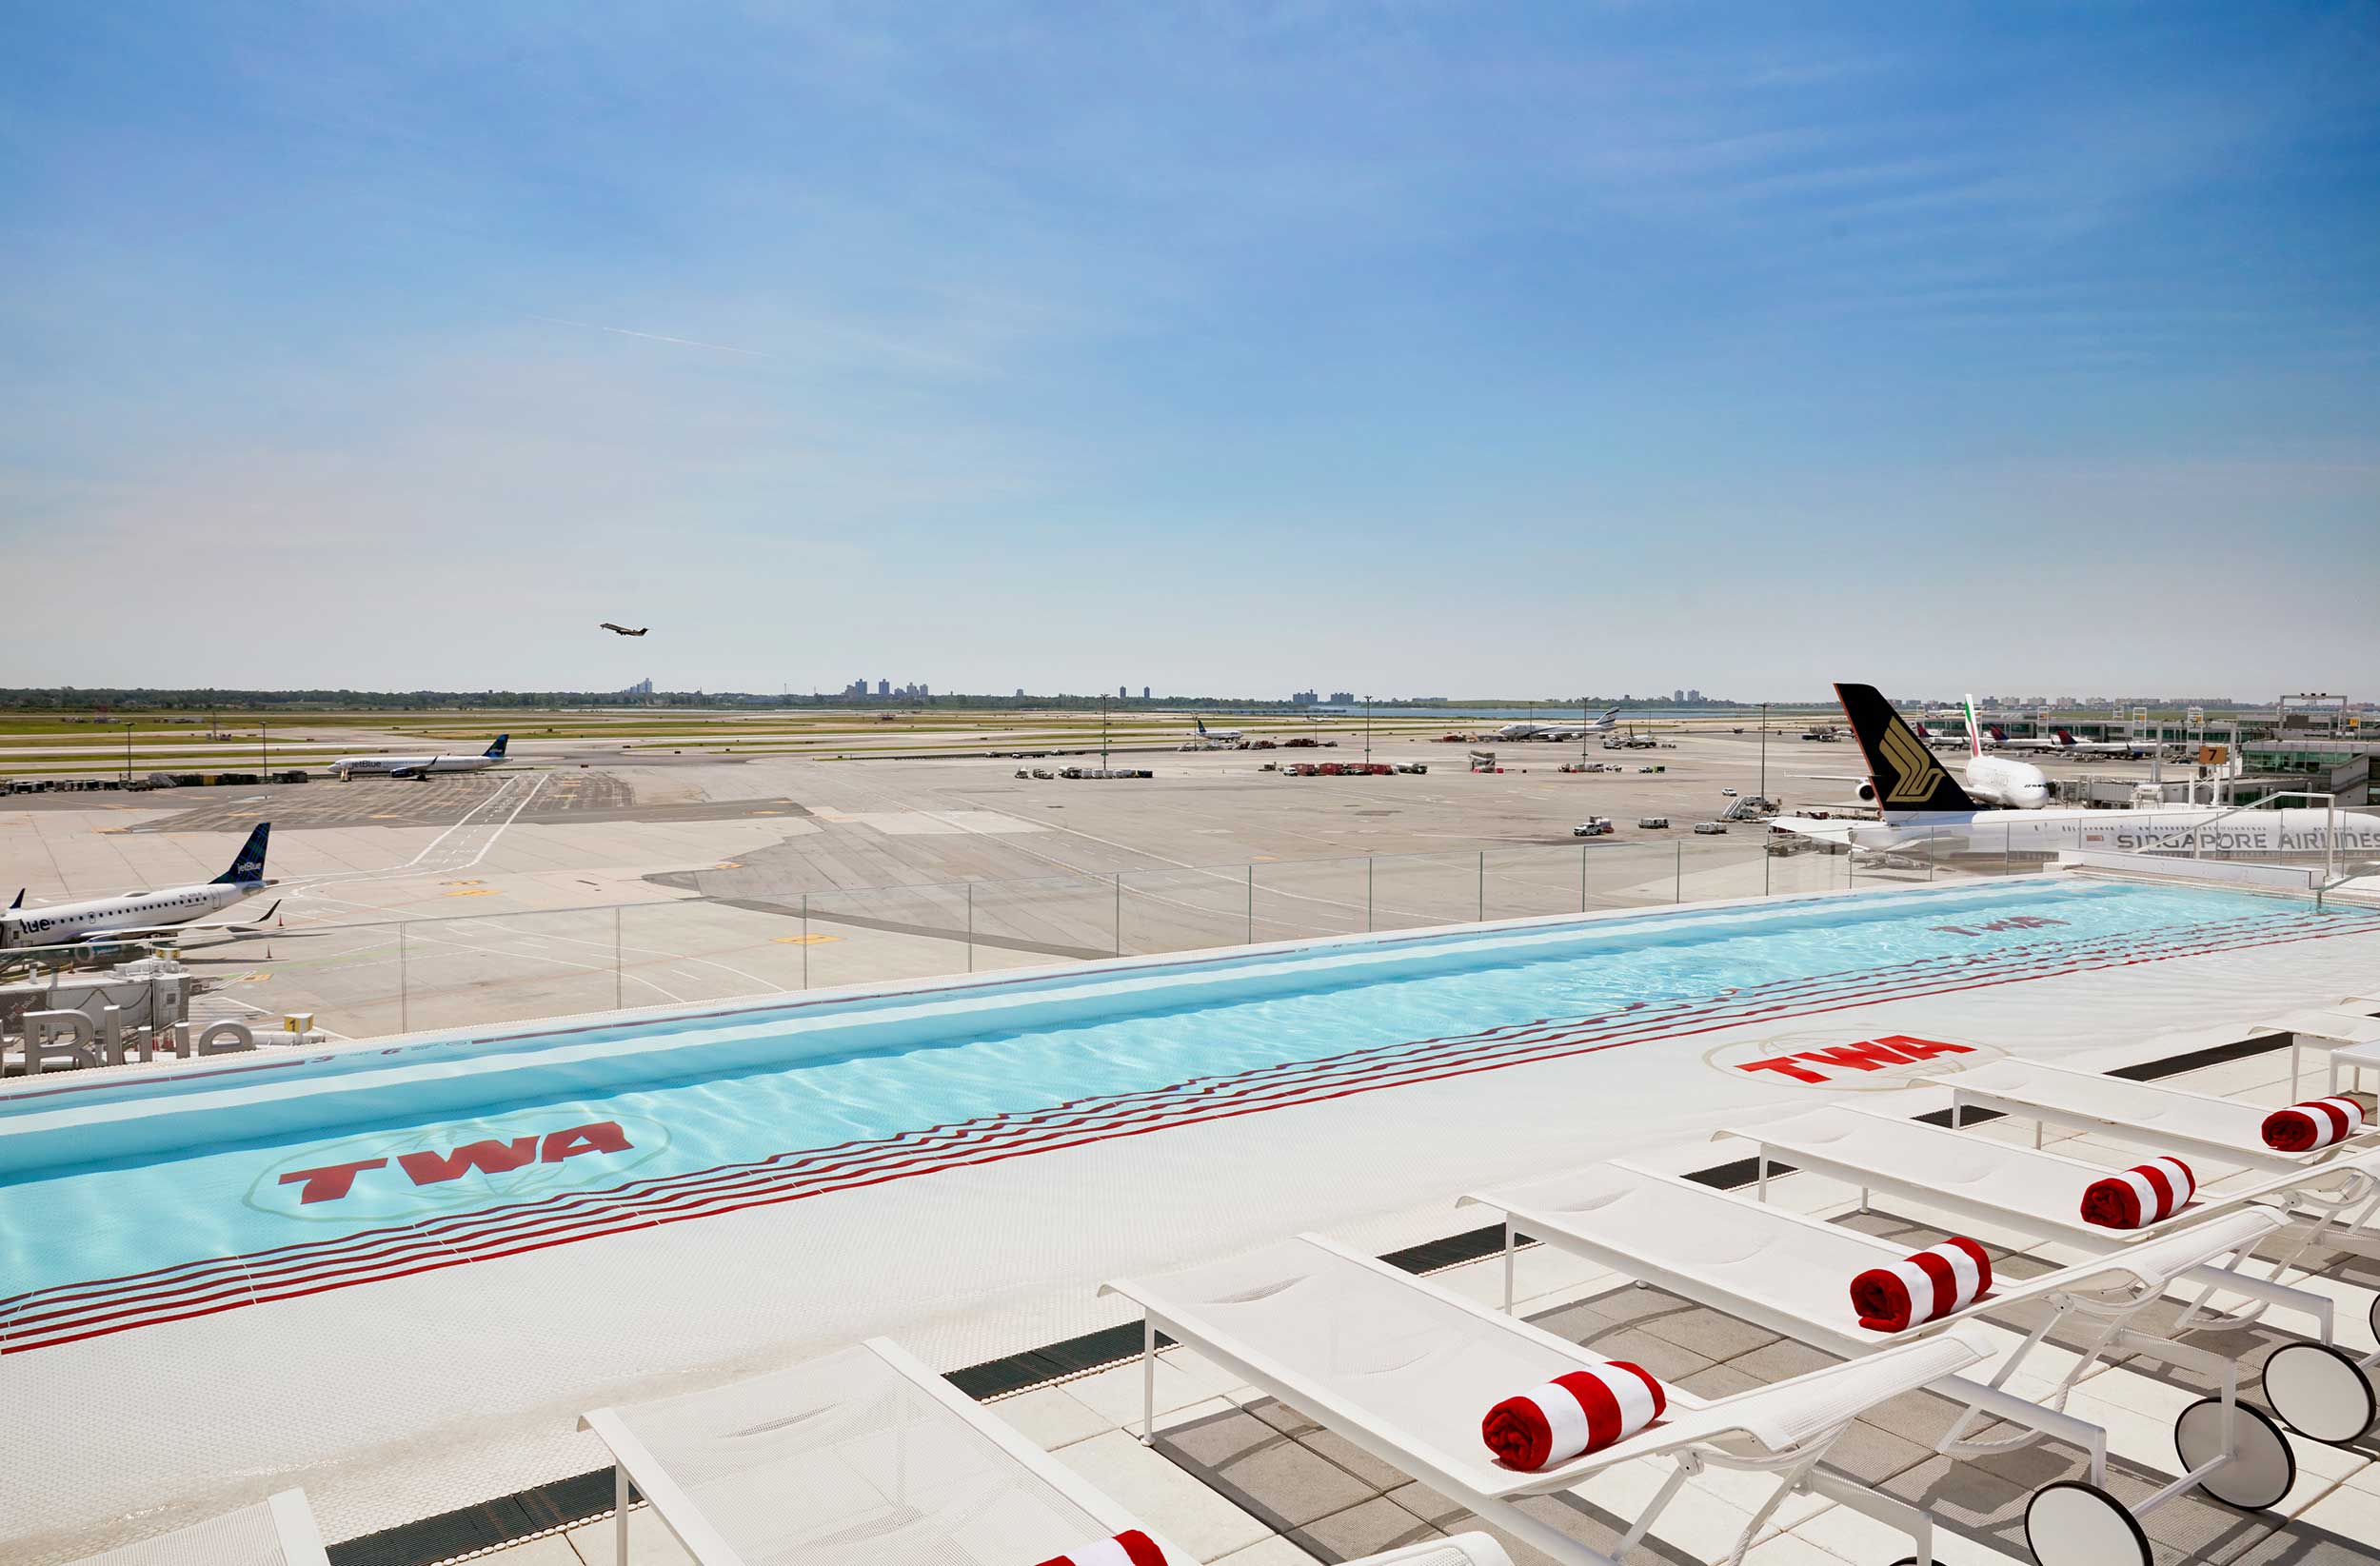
x,y
1922,806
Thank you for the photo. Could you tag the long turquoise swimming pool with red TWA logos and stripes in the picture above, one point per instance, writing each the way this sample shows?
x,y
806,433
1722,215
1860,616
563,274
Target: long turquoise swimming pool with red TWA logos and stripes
x,y
234,1182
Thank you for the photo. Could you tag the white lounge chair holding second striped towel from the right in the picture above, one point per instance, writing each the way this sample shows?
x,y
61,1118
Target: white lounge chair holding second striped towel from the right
x,y
2322,1391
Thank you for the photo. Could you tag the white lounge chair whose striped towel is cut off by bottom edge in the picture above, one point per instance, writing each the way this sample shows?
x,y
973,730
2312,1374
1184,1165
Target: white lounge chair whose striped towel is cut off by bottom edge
x,y
868,1458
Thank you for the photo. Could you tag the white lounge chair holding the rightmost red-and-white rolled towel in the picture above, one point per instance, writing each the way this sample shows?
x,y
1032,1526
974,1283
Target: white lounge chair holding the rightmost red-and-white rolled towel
x,y
2146,1115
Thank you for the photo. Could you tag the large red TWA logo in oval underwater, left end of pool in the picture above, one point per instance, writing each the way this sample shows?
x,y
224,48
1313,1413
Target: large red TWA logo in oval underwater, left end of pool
x,y
411,1174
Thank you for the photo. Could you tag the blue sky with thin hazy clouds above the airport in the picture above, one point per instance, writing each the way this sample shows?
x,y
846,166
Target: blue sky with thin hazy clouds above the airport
x,y
1232,349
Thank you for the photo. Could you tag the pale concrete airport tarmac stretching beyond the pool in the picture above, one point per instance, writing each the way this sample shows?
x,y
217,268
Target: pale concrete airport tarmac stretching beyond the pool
x,y
565,887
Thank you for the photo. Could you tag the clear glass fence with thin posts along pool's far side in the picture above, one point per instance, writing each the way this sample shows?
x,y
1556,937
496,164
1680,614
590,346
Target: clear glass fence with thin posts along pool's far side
x,y
753,934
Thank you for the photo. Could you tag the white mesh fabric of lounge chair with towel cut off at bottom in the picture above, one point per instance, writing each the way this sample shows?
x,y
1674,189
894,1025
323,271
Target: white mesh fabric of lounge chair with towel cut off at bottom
x,y
844,1462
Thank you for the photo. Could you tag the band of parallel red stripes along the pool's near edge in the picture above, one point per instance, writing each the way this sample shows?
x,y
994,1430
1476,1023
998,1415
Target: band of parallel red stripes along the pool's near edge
x,y
570,1217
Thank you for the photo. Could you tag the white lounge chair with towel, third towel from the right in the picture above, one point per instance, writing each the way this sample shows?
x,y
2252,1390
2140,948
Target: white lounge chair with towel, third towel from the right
x,y
1793,1274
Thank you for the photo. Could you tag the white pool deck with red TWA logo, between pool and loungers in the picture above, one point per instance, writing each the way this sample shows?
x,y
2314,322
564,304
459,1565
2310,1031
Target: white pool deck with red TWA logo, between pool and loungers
x,y
427,1393
